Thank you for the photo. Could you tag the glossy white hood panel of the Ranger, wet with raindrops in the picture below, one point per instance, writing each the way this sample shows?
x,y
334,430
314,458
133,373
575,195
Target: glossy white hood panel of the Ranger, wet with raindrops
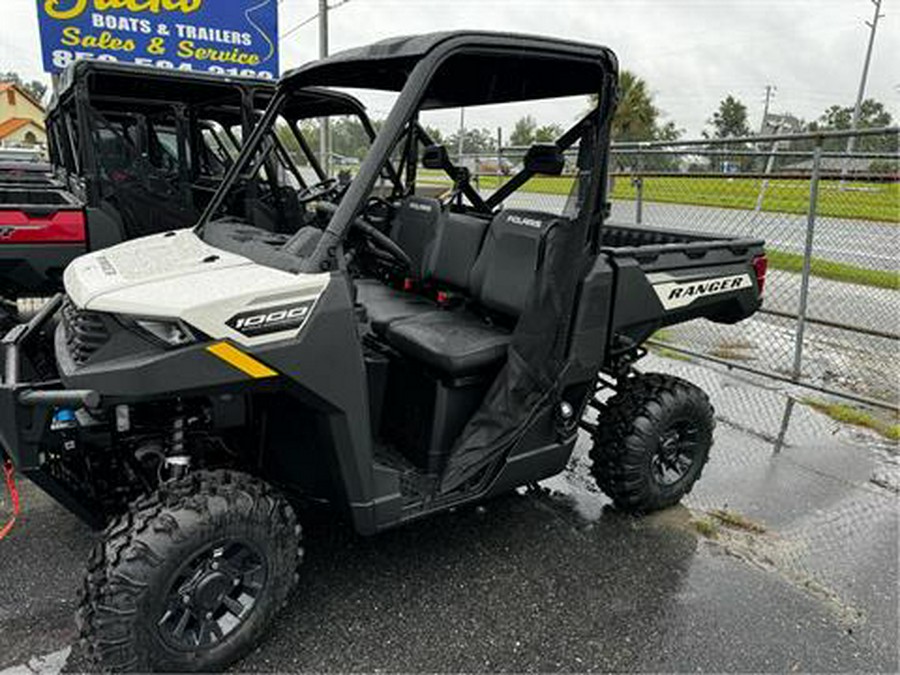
x,y
177,276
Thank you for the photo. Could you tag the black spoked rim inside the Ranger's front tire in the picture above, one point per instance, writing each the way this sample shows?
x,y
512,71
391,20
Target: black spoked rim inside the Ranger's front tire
x,y
212,595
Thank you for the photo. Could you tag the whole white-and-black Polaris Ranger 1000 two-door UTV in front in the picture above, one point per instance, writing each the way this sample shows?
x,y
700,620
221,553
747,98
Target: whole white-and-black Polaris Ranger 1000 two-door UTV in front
x,y
404,357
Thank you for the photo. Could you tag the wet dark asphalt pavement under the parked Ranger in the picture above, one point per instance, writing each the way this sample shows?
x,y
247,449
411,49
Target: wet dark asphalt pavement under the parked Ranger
x,y
555,580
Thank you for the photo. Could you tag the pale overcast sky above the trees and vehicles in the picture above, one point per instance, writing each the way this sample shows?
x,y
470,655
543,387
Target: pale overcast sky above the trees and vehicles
x,y
692,53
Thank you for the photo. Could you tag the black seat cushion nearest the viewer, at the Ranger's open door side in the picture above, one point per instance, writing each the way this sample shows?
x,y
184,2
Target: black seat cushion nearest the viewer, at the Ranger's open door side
x,y
454,343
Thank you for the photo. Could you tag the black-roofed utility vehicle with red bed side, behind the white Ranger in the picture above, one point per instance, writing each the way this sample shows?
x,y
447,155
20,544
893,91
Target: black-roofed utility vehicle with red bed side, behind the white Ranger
x,y
137,151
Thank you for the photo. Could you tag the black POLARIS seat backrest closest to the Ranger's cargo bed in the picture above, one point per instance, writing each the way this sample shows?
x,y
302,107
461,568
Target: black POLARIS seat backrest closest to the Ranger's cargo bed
x,y
502,275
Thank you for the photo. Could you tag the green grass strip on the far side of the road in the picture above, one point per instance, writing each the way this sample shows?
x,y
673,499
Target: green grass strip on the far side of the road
x,y
866,201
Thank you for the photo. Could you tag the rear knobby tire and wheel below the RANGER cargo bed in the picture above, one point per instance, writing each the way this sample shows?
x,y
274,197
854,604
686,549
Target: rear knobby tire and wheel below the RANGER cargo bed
x,y
652,442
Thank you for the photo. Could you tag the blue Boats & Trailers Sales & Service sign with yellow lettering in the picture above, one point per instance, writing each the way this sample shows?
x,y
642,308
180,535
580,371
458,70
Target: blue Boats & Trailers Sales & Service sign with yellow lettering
x,y
233,37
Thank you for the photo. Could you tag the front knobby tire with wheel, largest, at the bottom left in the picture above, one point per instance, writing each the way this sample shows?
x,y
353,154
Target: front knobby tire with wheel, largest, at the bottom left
x,y
224,544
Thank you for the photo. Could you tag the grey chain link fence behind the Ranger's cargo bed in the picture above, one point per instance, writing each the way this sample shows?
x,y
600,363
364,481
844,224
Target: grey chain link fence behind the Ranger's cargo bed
x,y
831,221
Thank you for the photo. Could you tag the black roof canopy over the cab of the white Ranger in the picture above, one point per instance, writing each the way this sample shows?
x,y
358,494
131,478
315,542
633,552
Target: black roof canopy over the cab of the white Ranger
x,y
482,67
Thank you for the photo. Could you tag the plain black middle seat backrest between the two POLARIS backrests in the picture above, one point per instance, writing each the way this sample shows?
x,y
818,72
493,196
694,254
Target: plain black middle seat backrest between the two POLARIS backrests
x,y
455,249
